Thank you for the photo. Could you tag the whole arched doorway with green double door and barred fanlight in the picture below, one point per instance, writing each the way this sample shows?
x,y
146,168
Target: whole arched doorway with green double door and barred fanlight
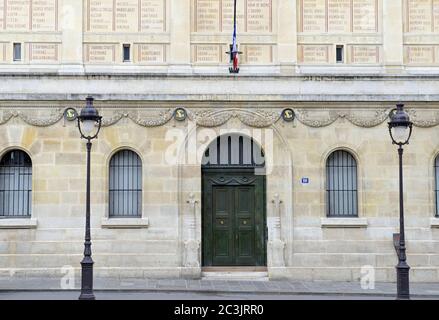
x,y
234,229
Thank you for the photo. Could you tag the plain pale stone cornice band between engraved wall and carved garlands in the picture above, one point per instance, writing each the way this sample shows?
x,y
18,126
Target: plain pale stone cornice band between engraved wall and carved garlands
x,y
227,89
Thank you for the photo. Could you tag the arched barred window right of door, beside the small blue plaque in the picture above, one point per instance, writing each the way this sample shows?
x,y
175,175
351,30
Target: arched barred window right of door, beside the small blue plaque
x,y
341,185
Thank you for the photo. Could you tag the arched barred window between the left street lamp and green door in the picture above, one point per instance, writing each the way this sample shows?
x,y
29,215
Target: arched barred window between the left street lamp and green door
x,y
125,185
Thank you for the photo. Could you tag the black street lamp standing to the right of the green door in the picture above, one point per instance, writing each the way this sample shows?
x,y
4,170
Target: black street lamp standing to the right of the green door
x,y
400,128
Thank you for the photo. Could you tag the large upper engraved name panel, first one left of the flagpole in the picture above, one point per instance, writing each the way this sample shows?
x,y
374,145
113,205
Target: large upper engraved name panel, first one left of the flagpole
x,y
126,16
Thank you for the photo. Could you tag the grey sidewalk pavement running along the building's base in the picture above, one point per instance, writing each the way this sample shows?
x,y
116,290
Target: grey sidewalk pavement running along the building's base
x,y
419,290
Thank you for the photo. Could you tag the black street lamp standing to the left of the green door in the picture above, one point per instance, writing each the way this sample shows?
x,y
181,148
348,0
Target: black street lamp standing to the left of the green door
x,y
89,124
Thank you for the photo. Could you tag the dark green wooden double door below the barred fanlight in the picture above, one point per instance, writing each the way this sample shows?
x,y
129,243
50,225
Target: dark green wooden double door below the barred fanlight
x,y
234,219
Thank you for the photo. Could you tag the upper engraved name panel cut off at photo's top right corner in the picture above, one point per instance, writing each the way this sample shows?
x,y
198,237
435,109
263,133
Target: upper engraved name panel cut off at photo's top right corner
x,y
422,16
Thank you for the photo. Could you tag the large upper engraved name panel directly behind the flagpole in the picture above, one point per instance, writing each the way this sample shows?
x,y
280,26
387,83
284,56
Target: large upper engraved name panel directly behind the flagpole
x,y
213,16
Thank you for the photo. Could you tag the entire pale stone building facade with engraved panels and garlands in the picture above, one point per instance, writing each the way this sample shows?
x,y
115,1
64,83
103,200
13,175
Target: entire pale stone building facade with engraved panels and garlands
x,y
337,67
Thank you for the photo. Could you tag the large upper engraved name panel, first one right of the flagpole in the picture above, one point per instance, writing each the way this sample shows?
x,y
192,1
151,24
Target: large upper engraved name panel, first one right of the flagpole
x,y
338,16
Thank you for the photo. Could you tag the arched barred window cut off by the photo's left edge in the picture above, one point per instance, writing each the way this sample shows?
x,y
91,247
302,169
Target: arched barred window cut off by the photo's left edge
x,y
15,185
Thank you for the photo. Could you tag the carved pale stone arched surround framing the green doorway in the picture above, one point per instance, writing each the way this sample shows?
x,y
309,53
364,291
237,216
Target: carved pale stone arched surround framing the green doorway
x,y
279,193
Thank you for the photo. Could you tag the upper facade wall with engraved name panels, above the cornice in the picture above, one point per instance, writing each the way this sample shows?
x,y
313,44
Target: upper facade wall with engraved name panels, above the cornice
x,y
275,36
